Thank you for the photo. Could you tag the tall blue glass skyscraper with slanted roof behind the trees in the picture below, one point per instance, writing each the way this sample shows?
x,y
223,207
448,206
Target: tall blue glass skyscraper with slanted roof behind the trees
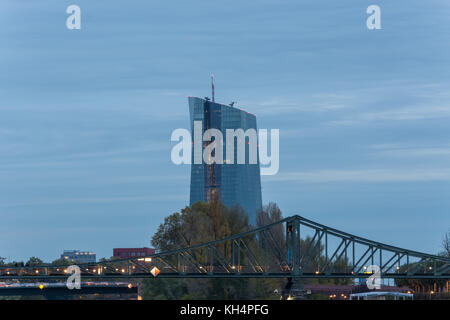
x,y
233,184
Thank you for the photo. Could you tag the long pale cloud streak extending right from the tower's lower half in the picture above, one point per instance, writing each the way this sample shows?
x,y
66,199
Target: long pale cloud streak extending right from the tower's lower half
x,y
367,175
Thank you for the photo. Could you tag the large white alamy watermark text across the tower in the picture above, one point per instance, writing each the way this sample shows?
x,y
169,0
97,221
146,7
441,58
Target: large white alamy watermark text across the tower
x,y
213,152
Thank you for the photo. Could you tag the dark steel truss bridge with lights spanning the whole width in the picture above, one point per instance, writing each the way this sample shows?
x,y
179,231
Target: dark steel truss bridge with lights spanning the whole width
x,y
294,247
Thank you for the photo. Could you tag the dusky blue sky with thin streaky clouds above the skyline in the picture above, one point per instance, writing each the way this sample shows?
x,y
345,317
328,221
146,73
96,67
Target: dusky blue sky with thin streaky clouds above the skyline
x,y
86,115
